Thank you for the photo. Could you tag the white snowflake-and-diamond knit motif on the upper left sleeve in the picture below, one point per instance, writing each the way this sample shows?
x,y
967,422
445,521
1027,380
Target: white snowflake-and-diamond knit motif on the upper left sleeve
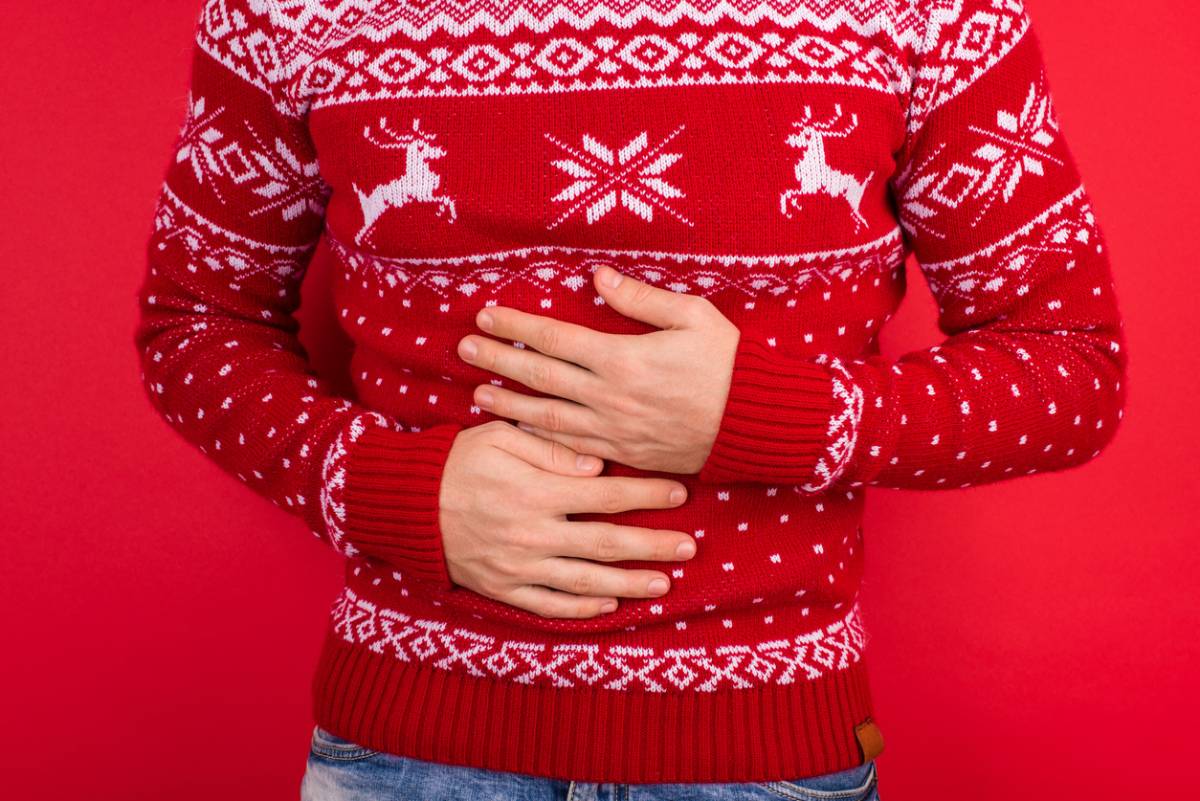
x,y
272,172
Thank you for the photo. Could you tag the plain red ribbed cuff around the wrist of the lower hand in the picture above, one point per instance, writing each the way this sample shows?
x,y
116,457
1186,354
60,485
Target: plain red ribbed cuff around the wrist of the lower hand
x,y
393,480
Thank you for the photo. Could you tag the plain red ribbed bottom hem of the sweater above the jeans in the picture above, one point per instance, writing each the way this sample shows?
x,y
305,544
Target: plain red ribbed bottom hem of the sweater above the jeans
x,y
775,732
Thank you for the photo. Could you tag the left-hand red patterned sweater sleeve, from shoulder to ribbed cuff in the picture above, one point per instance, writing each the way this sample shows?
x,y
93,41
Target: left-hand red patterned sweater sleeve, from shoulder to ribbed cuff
x,y
238,219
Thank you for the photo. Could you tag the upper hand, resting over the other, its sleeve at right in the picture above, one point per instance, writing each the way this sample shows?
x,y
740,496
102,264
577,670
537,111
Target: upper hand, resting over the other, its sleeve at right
x,y
652,401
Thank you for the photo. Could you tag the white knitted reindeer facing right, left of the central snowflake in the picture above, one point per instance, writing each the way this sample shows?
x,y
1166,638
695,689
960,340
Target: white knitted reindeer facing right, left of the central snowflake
x,y
417,185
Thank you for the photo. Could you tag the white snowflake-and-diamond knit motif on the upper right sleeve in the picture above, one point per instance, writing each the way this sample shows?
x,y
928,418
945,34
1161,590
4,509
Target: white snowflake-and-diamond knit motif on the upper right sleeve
x,y
1018,146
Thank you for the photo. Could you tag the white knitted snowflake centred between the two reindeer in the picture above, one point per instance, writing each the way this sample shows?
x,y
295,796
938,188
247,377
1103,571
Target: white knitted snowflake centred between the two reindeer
x,y
631,177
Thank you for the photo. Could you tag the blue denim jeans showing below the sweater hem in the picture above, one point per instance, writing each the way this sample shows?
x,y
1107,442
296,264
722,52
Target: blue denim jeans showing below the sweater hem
x,y
340,770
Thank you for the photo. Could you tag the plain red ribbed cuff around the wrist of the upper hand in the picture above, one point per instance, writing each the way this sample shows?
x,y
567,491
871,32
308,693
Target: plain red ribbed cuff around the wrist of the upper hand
x,y
777,420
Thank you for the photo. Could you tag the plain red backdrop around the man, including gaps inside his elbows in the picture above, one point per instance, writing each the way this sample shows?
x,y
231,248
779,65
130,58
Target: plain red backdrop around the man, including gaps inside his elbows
x,y
1033,640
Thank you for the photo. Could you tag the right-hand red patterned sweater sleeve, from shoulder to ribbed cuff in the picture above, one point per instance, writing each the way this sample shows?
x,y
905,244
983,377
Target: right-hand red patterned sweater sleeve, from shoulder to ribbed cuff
x,y
1031,376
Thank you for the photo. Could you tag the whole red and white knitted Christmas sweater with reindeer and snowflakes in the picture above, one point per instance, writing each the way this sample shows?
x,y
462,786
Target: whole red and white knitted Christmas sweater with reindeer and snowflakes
x,y
781,159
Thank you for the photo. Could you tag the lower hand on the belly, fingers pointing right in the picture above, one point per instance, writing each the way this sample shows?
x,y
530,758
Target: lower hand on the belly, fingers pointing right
x,y
505,499
